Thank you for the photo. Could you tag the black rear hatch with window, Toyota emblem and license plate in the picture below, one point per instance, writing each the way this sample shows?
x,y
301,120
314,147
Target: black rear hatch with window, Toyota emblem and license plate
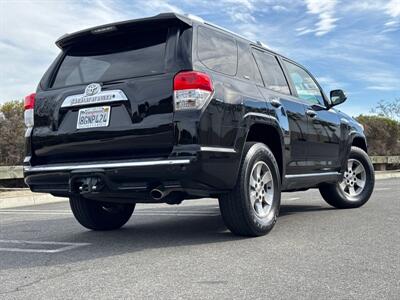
x,y
109,95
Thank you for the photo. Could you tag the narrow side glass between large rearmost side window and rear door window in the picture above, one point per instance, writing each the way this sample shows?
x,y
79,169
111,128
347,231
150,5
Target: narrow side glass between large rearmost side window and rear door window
x,y
247,67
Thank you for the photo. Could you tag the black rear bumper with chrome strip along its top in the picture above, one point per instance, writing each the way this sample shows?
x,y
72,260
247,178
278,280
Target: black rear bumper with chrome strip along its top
x,y
207,171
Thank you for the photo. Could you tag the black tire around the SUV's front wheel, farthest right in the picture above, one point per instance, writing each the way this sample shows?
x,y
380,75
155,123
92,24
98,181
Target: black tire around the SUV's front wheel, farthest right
x,y
334,195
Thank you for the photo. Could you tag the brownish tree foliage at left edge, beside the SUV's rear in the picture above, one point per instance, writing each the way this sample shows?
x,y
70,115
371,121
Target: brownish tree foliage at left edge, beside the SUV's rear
x,y
12,131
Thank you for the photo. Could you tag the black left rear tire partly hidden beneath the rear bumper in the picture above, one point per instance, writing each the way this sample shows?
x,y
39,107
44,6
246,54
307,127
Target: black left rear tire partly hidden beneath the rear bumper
x,y
97,215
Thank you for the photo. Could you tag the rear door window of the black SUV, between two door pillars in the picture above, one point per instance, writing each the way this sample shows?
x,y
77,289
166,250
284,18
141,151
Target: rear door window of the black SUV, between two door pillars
x,y
271,72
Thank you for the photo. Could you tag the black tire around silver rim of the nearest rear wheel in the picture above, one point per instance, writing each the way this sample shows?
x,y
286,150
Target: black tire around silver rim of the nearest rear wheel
x,y
237,211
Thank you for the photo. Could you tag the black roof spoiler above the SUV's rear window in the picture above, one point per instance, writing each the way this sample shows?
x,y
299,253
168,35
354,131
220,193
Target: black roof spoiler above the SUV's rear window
x,y
68,39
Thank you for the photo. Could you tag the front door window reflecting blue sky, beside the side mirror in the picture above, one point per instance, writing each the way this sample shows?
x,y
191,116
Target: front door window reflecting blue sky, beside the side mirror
x,y
304,84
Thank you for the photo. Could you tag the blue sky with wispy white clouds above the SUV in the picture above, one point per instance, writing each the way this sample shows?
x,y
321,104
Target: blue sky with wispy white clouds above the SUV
x,y
353,45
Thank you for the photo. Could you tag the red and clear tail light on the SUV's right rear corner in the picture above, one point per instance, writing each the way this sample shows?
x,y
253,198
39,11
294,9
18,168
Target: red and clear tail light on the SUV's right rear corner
x,y
192,90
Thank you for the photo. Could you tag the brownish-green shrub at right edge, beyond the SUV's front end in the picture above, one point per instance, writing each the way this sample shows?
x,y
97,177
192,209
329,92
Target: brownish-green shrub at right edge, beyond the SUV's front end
x,y
383,135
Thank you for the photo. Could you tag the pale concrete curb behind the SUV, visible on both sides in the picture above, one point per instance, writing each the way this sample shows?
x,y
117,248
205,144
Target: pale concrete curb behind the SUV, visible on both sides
x,y
10,198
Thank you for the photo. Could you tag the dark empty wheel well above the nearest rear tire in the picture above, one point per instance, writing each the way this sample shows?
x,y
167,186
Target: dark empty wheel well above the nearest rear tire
x,y
268,135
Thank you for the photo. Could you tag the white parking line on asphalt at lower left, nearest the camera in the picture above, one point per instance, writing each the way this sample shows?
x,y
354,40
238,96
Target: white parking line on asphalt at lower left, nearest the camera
x,y
64,246
